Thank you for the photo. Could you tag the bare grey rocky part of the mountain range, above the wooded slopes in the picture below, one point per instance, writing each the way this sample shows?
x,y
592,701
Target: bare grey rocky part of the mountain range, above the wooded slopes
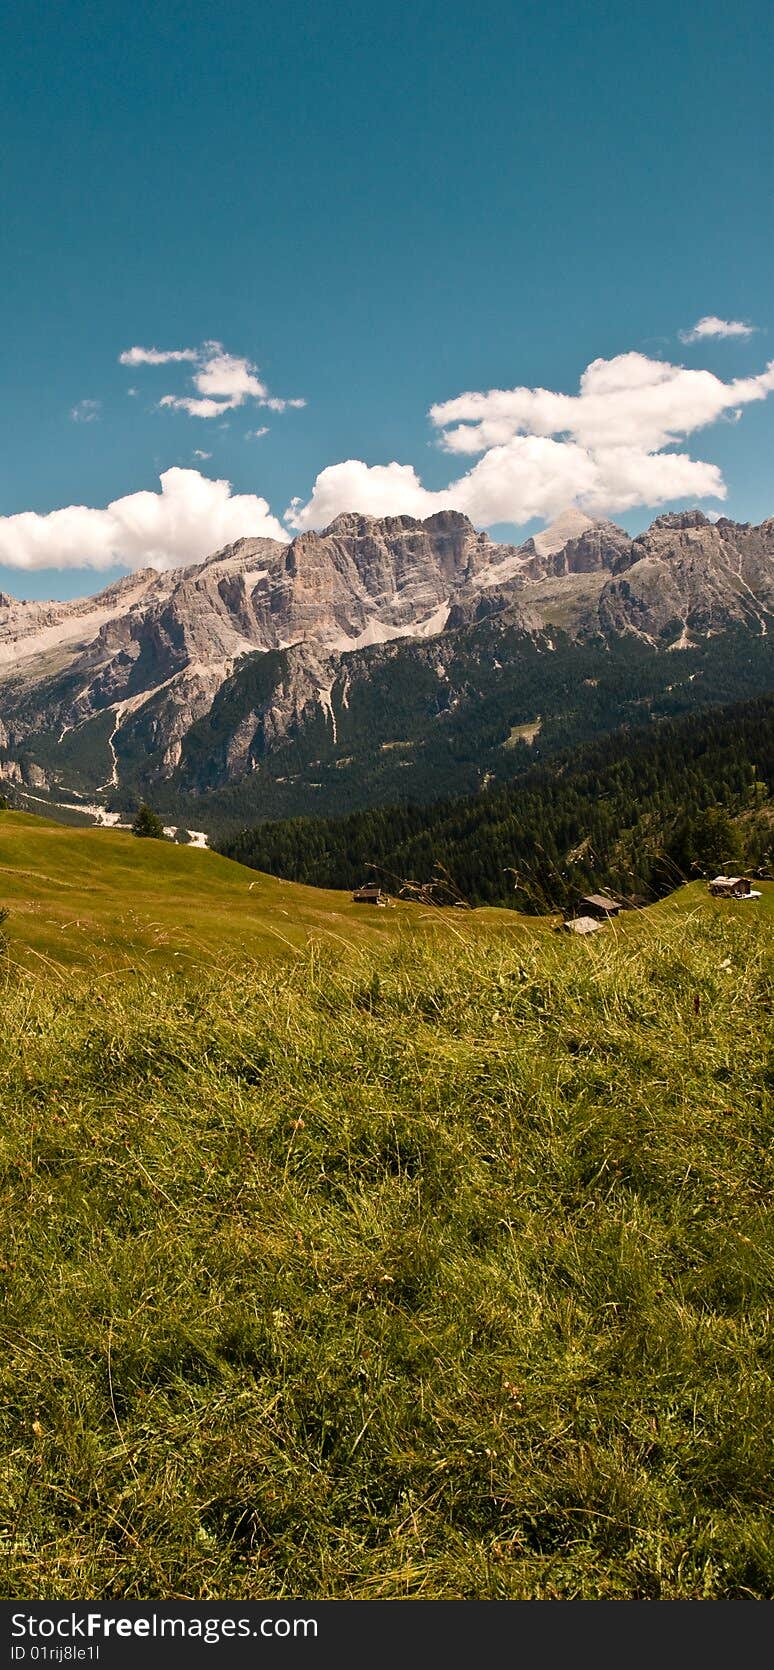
x,y
108,696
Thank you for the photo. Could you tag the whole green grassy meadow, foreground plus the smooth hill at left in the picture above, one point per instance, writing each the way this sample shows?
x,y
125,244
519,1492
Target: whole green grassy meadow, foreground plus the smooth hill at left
x,y
435,1270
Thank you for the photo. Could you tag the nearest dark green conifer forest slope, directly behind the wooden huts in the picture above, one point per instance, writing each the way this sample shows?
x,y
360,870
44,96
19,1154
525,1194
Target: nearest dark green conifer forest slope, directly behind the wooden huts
x,y
634,812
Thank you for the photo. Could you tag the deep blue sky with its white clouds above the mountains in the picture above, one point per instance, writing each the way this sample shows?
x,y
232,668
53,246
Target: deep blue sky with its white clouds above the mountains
x,y
380,208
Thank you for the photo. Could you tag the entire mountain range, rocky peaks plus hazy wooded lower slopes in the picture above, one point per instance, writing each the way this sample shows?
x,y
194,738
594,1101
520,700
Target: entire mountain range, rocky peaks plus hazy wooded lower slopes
x,y
380,660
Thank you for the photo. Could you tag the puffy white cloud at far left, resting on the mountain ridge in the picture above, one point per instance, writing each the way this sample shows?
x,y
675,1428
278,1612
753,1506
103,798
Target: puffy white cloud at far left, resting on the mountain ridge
x,y
190,519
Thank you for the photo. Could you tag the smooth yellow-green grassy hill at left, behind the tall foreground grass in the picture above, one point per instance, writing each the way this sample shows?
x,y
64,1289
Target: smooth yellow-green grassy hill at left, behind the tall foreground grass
x,y
99,898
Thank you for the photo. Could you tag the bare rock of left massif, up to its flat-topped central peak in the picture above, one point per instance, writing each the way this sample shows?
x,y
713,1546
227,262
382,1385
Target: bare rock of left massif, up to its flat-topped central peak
x,y
155,649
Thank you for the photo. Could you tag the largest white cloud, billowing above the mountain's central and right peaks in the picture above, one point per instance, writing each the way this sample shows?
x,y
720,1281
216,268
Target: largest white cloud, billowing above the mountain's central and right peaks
x,y
603,448
